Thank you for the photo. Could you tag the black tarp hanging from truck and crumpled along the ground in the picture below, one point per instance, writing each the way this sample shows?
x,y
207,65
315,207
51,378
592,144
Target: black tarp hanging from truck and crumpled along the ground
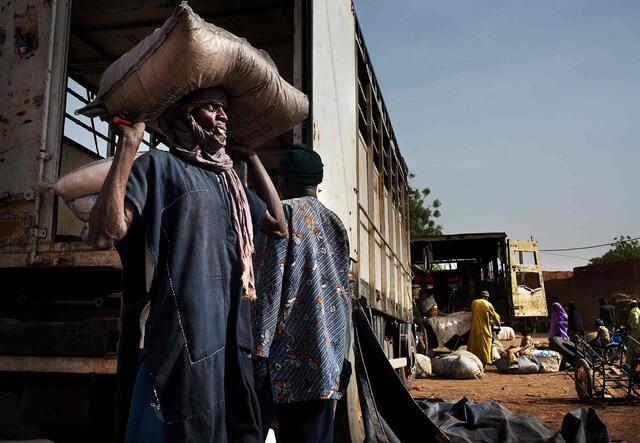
x,y
391,415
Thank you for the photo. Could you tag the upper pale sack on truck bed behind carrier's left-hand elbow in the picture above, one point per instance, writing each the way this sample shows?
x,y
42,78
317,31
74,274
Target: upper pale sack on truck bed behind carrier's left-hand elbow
x,y
85,180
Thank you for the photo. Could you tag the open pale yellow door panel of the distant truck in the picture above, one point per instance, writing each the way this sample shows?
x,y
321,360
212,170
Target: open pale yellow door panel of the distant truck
x,y
527,283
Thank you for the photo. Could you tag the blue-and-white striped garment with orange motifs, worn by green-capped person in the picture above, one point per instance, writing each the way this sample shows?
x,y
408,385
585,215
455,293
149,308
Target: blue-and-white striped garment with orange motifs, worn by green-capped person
x,y
301,317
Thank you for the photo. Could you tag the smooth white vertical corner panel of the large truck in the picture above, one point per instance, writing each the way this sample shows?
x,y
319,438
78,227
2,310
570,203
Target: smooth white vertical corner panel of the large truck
x,y
334,109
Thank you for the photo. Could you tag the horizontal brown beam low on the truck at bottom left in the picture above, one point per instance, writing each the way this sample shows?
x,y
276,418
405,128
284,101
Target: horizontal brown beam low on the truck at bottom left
x,y
60,365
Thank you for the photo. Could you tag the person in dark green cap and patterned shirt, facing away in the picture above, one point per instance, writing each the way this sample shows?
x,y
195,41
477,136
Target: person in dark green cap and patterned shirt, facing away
x,y
302,312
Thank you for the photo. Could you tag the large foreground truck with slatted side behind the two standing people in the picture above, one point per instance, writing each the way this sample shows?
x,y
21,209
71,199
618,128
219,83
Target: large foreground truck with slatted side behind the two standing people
x,y
60,299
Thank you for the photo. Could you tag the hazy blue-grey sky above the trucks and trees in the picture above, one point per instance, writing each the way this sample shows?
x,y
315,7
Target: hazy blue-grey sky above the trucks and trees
x,y
521,116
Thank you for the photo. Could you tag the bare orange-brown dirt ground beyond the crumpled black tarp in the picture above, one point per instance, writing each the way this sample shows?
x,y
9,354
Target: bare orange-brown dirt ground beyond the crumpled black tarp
x,y
547,396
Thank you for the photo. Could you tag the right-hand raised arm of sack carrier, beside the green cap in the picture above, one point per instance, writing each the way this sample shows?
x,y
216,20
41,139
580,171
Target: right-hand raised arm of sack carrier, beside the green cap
x,y
274,223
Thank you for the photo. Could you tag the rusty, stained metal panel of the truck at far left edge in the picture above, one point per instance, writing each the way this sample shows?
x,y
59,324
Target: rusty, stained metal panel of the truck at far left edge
x,y
33,51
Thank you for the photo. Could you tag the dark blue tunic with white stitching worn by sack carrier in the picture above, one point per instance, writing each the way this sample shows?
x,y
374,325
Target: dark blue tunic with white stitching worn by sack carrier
x,y
197,339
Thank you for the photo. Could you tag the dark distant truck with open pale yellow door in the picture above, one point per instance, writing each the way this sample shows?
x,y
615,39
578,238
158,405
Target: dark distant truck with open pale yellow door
x,y
454,268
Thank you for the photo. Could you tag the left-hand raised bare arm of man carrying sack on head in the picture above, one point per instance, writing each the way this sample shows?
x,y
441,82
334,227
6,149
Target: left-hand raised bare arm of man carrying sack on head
x,y
111,216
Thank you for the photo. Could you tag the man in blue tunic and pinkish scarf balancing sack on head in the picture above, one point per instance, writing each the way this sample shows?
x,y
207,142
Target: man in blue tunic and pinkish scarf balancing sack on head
x,y
184,225
